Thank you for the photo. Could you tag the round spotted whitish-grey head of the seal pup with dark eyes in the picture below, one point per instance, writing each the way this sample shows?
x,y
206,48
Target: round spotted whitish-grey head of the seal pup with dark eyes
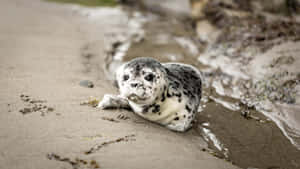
x,y
141,80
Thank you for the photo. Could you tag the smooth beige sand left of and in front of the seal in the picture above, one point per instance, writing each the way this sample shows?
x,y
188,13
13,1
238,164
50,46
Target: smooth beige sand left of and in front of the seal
x,y
41,48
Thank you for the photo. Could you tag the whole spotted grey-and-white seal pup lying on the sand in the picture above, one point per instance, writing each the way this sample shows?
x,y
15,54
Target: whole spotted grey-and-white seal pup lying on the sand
x,y
168,94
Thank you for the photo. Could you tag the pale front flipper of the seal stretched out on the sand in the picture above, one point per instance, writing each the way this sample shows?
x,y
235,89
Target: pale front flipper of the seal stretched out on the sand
x,y
113,101
